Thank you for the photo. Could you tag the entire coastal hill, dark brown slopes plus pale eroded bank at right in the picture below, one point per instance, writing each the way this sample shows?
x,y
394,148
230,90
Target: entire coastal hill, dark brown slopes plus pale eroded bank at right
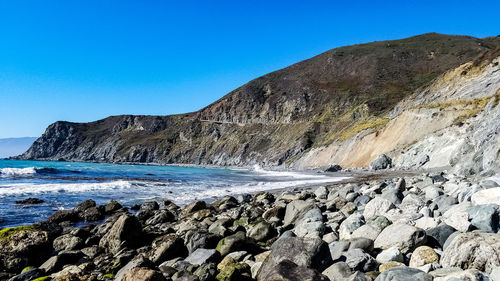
x,y
344,106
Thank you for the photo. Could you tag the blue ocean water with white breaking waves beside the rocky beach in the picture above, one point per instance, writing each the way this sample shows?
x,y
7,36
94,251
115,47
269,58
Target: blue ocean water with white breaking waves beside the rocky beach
x,y
62,185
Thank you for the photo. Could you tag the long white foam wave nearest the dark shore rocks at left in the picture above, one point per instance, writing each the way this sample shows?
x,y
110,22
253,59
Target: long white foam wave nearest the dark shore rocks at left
x,y
29,188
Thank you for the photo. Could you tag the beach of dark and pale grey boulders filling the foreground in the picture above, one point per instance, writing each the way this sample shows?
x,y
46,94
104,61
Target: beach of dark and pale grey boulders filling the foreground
x,y
434,226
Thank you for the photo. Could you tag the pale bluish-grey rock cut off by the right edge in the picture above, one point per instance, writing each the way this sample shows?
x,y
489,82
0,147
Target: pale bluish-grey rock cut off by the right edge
x,y
484,217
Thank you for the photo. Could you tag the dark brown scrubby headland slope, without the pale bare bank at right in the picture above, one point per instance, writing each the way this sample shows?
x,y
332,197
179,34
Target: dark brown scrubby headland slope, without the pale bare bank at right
x,y
286,117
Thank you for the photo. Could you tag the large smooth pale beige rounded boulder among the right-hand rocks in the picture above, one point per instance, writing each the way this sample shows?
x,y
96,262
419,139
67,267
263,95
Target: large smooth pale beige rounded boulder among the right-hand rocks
x,y
404,237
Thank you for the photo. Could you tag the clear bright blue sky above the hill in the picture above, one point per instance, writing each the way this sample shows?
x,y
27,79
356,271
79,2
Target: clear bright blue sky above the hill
x,y
85,60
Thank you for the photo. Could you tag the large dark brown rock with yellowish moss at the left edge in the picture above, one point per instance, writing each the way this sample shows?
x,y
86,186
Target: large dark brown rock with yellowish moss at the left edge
x,y
23,246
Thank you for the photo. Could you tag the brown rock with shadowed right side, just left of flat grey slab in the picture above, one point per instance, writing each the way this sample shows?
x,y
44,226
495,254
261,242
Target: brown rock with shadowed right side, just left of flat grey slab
x,y
167,247
